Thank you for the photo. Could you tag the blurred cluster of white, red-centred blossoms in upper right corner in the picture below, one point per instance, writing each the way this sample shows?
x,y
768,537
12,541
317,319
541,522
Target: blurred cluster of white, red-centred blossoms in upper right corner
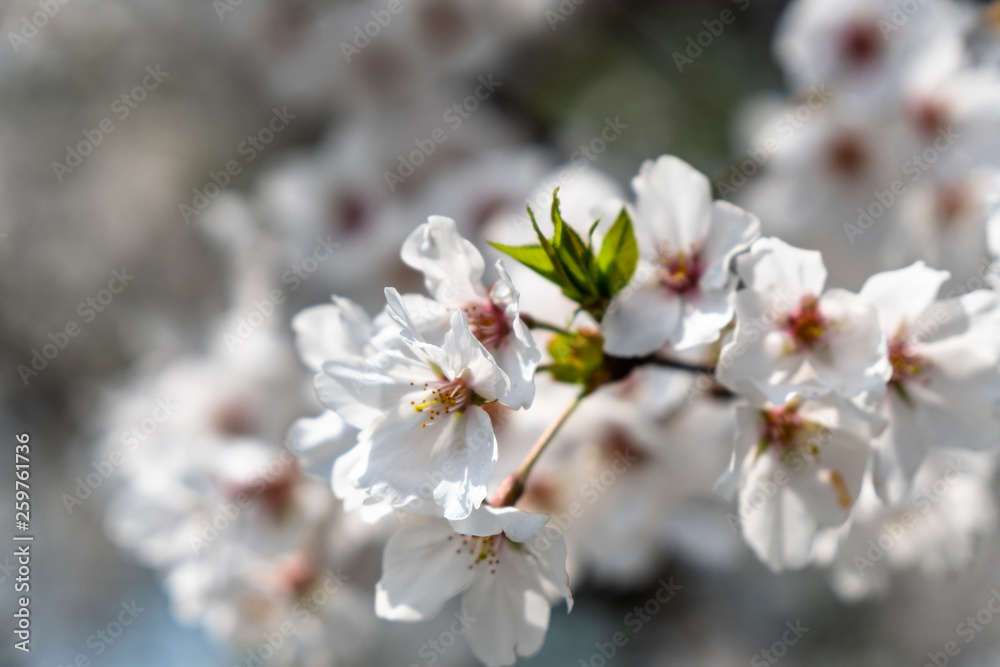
x,y
886,151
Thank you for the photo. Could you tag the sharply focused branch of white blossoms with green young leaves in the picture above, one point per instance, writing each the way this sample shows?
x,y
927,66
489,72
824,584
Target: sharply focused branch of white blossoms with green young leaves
x,y
836,391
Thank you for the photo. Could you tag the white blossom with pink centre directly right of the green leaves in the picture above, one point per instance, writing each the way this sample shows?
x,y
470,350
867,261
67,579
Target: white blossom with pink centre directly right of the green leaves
x,y
680,292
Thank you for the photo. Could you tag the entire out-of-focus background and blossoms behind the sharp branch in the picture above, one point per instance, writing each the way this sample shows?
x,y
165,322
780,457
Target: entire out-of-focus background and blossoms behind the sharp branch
x,y
180,178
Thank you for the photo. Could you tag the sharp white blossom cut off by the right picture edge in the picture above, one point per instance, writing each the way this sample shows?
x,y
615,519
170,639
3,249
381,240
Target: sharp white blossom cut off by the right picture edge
x,y
945,386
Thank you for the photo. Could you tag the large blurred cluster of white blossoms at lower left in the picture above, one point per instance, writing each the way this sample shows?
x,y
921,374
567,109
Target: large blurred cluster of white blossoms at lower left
x,y
249,546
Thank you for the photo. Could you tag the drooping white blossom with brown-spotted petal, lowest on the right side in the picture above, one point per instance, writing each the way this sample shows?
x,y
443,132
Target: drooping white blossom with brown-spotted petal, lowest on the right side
x,y
797,468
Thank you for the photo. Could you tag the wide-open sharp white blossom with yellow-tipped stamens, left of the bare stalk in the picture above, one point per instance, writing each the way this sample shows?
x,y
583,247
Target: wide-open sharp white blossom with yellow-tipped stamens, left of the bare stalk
x,y
423,428
